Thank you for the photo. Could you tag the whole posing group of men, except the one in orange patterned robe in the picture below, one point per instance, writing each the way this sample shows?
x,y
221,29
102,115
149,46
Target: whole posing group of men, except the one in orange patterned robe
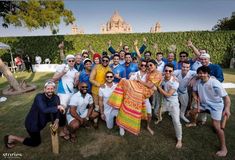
x,y
85,87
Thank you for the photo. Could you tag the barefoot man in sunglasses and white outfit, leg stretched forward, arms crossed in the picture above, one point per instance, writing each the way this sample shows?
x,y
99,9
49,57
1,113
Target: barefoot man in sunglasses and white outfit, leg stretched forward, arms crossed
x,y
168,89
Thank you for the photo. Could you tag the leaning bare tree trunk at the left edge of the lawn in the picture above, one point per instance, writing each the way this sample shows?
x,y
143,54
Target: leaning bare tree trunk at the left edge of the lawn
x,y
10,77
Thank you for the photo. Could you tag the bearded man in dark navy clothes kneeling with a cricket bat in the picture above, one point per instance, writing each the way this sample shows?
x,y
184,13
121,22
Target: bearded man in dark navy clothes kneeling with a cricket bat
x,y
45,108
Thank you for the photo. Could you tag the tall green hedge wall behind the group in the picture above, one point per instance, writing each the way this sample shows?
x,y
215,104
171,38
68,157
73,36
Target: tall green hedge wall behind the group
x,y
218,44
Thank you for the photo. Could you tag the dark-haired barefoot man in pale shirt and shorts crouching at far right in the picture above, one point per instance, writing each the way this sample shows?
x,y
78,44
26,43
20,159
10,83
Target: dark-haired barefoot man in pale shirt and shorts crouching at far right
x,y
211,97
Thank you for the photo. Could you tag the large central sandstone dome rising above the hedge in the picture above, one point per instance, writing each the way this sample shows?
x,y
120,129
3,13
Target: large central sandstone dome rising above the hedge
x,y
116,24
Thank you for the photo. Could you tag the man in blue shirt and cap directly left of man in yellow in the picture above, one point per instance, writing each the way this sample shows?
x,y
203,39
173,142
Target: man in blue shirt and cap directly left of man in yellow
x,y
85,74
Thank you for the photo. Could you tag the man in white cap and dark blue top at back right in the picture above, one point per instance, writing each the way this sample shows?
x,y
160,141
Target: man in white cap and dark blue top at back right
x,y
215,70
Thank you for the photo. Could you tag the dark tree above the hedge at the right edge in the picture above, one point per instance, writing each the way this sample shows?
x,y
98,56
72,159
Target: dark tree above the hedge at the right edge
x,y
225,24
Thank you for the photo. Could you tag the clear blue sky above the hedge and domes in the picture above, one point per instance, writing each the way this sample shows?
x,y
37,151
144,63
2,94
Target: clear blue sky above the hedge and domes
x,y
173,15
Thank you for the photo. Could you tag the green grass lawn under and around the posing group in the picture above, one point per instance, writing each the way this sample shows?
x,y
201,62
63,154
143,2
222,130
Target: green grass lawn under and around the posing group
x,y
198,143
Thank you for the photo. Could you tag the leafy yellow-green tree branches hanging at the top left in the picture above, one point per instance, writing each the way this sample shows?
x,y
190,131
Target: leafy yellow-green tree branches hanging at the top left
x,y
34,14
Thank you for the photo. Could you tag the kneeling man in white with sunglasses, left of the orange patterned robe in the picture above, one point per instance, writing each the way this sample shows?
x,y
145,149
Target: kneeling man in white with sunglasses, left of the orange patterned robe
x,y
107,112
